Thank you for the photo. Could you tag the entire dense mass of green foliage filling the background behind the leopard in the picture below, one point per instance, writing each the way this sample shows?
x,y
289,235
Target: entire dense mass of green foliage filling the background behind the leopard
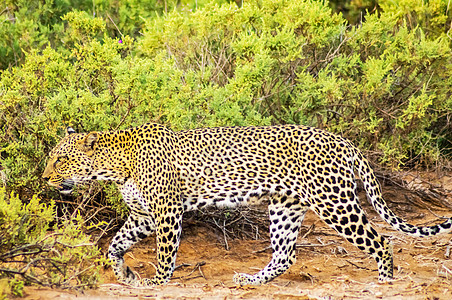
x,y
381,77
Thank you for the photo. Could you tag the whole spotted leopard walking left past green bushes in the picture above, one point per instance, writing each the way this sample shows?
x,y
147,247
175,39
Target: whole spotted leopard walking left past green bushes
x,y
163,173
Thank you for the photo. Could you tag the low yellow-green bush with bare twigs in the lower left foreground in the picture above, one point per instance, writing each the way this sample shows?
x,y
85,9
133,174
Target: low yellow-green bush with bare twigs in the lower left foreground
x,y
36,247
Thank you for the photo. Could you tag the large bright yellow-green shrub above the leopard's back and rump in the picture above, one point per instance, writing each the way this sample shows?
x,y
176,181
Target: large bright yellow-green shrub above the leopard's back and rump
x,y
385,84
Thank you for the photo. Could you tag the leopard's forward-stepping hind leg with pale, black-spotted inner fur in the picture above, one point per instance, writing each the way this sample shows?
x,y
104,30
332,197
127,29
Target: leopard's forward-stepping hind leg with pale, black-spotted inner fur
x,y
285,222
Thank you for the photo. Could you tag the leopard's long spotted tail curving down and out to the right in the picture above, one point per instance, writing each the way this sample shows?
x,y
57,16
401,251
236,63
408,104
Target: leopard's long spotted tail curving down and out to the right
x,y
375,197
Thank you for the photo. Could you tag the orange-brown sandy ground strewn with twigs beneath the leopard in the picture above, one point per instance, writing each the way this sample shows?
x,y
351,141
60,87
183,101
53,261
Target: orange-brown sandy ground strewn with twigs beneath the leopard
x,y
328,267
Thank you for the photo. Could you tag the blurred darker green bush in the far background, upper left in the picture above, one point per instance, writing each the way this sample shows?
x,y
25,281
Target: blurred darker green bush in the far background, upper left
x,y
30,25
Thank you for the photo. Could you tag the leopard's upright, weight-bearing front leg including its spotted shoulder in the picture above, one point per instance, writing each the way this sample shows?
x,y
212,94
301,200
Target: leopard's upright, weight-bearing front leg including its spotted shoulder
x,y
157,180
